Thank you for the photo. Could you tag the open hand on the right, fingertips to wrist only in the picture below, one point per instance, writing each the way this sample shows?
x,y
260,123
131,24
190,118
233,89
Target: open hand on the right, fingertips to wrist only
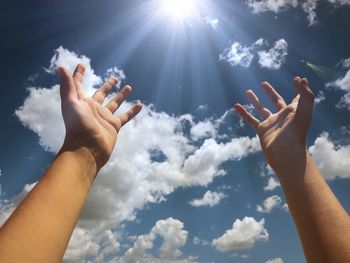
x,y
282,134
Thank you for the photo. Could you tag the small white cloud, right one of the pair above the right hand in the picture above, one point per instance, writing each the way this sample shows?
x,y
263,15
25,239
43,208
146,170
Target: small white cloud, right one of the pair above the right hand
x,y
275,57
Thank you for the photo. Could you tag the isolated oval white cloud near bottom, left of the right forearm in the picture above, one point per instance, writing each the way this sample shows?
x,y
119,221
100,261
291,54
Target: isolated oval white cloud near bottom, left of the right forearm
x,y
242,235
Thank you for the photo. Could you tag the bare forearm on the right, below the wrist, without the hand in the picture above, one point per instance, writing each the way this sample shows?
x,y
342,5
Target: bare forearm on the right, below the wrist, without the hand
x,y
322,223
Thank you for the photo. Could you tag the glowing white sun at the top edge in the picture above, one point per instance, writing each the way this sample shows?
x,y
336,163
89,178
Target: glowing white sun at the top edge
x,y
177,10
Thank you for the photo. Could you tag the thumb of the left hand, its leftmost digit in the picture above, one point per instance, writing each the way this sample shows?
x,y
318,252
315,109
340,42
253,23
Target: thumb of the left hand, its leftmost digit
x,y
67,87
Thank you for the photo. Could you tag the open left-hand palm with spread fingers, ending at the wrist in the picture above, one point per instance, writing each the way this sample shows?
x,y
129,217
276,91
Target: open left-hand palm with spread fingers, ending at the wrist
x,y
89,125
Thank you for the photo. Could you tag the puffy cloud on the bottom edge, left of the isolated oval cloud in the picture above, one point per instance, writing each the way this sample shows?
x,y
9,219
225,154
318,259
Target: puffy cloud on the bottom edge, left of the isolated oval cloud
x,y
173,235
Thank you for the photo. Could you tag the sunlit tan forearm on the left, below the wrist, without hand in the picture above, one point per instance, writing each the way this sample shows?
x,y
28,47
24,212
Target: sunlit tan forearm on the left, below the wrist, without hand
x,y
40,228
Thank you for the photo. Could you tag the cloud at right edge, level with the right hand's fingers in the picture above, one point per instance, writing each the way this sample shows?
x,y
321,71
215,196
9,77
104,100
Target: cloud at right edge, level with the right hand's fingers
x,y
343,83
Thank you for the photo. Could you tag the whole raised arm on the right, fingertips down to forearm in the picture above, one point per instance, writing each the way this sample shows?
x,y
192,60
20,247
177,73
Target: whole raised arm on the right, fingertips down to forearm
x,y
322,223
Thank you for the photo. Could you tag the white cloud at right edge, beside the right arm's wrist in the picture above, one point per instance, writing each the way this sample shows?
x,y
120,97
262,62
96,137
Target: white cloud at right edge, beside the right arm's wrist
x,y
332,160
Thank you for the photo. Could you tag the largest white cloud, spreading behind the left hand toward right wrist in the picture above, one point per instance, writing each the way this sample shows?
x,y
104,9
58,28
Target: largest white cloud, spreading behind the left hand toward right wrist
x,y
147,165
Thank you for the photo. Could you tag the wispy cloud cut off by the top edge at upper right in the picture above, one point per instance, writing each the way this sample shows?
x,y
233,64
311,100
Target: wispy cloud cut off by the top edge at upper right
x,y
276,6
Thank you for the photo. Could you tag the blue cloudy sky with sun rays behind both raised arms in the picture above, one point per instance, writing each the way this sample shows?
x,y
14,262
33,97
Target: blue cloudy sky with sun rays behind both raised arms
x,y
187,181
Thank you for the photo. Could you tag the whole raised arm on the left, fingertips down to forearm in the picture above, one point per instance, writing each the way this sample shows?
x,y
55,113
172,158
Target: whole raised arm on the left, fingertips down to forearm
x,y
40,228
